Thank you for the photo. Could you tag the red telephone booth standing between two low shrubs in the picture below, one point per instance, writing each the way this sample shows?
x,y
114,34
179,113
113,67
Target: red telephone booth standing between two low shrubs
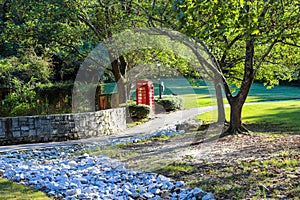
x,y
145,93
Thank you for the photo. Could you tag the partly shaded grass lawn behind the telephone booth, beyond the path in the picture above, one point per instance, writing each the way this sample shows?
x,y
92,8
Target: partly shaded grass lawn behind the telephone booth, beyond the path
x,y
201,93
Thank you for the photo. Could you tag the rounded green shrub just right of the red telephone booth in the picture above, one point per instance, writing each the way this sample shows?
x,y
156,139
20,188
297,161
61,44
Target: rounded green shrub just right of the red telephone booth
x,y
170,103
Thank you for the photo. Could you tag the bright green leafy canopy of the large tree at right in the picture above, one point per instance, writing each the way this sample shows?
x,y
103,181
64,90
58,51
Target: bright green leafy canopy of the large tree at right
x,y
221,24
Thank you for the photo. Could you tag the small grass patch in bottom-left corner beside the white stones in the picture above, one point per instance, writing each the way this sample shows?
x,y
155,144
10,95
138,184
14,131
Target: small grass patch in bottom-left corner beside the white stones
x,y
11,190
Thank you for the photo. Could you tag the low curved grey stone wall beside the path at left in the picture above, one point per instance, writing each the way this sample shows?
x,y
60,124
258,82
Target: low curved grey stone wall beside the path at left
x,y
62,127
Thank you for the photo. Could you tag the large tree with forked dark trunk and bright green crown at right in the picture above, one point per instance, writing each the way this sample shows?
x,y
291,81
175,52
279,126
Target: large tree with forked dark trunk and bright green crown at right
x,y
248,39
